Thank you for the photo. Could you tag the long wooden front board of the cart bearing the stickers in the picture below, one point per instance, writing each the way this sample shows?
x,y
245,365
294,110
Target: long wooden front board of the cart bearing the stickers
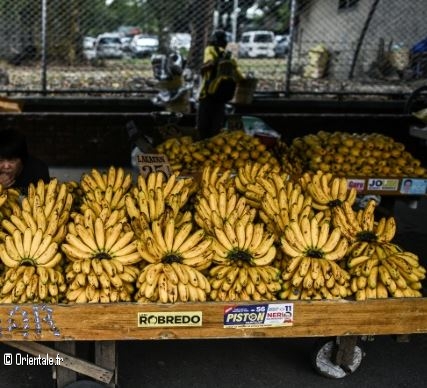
x,y
98,322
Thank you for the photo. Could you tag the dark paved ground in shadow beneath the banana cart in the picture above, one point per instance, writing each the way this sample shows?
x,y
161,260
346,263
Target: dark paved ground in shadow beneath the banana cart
x,y
235,363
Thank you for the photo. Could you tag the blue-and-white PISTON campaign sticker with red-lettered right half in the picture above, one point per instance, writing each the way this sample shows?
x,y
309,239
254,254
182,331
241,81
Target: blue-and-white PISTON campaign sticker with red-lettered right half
x,y
260,315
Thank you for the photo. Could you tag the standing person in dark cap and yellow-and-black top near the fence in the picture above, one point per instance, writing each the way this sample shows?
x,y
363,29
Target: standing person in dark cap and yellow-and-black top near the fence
x,y
211,112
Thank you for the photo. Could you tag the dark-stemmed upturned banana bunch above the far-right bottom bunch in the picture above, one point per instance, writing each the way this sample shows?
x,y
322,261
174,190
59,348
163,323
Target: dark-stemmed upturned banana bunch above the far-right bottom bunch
x,y
360,226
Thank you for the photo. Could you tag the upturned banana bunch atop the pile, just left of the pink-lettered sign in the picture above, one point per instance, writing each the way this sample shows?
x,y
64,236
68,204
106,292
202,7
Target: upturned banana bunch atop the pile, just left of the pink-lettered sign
x,y
327,191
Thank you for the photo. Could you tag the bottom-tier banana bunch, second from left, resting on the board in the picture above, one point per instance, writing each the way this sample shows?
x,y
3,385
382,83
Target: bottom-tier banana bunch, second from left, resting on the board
x,y
100,280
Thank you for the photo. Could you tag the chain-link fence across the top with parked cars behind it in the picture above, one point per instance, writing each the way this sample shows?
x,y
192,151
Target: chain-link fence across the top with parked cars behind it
x,y
98,47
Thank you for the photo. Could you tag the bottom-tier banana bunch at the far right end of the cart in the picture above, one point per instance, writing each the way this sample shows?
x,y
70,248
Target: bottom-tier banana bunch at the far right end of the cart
x,y
387,271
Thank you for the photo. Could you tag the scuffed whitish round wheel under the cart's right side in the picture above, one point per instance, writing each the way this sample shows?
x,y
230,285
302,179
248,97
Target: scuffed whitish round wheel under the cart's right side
x,y
335,360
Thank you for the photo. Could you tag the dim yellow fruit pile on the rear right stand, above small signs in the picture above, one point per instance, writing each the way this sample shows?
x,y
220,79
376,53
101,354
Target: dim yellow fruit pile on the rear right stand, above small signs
x,y
349,154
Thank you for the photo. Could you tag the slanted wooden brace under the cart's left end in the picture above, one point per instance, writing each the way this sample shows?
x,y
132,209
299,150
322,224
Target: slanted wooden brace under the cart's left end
x,y
67,361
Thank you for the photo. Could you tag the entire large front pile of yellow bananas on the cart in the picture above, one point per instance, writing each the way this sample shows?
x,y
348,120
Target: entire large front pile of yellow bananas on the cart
x,y
251,233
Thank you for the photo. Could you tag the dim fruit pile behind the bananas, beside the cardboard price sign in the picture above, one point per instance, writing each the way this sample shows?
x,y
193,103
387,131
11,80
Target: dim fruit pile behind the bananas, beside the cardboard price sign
x,y
229,149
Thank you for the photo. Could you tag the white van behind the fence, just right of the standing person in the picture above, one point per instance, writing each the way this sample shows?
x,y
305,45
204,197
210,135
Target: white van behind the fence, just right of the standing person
x,y
254,44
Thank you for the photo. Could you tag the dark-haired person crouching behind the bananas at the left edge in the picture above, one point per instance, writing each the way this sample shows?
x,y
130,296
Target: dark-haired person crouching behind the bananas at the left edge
x,y
17,167
